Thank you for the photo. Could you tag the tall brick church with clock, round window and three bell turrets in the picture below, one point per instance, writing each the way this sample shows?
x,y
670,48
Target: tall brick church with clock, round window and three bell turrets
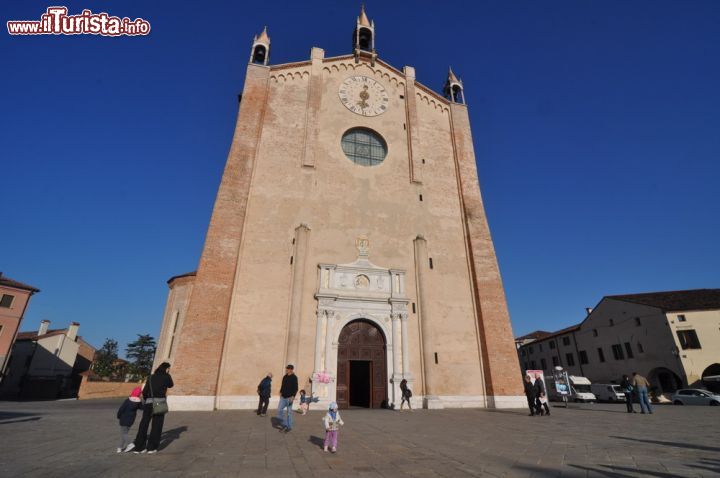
x,y
348,238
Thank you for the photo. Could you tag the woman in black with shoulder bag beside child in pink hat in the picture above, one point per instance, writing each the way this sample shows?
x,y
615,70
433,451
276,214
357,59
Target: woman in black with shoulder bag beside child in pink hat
x,y
154,410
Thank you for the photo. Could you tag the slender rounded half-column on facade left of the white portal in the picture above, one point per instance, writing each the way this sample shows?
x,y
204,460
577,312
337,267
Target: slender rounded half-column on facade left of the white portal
x,y
296,298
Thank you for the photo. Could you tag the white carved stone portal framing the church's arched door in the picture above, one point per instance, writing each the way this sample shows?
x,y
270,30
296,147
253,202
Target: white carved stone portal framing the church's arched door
x,y
361,331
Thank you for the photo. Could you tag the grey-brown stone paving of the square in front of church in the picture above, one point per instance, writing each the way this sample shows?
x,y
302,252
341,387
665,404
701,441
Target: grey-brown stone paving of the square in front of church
x,y
78,439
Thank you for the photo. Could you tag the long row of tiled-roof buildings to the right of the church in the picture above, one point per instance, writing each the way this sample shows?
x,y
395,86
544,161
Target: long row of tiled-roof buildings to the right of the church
x,y
672,338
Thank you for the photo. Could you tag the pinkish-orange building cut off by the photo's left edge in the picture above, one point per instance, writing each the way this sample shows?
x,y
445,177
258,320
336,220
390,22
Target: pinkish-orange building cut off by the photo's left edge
x,y
14,299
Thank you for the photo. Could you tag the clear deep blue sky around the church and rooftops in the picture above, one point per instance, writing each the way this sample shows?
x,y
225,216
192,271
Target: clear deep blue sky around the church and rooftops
x,y
596,127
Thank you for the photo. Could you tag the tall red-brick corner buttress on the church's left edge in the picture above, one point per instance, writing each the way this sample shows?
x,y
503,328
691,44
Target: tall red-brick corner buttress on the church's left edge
x,y
201,344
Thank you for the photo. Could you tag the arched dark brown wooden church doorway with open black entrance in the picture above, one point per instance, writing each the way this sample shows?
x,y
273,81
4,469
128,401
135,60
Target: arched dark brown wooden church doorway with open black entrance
x,y
362,366
